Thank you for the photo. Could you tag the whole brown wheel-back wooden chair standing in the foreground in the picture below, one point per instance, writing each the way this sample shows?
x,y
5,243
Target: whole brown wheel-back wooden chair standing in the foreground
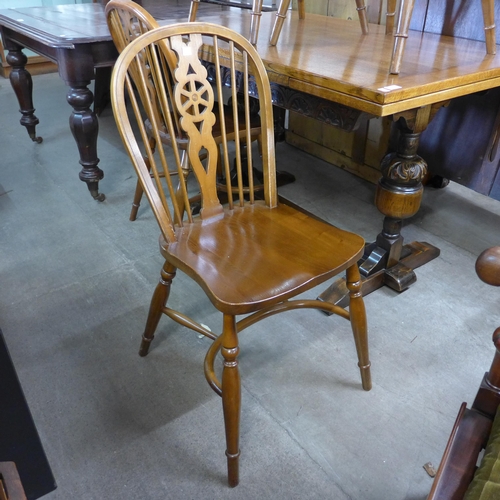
x,y
250,257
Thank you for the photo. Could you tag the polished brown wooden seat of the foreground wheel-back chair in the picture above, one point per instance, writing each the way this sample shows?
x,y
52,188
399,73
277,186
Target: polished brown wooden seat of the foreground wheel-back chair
x,y
270,270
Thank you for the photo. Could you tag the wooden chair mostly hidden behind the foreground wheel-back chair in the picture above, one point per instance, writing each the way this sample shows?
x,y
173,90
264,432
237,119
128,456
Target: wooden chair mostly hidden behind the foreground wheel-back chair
x,y
126,21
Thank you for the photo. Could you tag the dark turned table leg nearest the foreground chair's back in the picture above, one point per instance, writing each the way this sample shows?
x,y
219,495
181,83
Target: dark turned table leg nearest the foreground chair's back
x,y
85,128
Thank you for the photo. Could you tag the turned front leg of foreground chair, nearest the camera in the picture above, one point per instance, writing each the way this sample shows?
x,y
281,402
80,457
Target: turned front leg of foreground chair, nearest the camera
x,y
231,397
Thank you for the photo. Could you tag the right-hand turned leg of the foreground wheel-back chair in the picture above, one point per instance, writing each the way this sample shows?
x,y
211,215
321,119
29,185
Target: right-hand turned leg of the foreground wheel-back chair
x,y
359,325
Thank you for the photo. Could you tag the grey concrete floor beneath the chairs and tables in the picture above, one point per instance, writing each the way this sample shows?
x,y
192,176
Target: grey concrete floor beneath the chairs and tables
x,y
76,280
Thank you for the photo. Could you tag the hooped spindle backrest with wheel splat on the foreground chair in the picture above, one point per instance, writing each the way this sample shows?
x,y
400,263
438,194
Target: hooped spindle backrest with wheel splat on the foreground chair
x,y
232,62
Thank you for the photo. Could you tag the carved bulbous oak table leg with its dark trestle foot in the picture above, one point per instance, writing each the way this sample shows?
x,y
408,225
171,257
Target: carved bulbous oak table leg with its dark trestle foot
x,y
387,261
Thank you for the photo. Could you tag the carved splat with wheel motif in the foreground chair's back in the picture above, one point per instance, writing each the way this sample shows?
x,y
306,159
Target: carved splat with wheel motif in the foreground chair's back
x,y
194,100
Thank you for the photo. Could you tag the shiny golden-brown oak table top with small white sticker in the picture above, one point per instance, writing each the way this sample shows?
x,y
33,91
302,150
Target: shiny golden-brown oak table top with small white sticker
x,y
351,69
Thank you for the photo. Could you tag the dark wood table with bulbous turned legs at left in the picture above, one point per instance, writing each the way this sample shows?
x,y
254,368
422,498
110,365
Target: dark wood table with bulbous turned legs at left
x,y
77,39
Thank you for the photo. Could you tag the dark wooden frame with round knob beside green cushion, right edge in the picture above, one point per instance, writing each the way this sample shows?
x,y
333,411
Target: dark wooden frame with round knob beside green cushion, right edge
x,y
472,426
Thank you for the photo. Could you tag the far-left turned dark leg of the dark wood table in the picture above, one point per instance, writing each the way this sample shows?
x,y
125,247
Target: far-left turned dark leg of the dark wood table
x,y
21,82
